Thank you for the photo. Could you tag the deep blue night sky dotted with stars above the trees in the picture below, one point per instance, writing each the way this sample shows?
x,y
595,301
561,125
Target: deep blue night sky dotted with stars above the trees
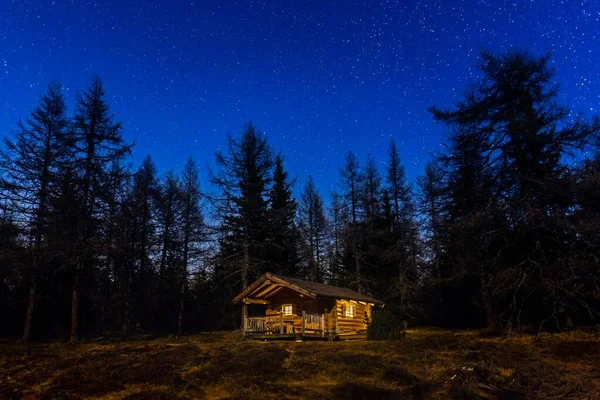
x,y
318,77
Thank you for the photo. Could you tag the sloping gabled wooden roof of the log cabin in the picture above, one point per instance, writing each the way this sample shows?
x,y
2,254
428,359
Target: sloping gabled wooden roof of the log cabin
x,y
269,284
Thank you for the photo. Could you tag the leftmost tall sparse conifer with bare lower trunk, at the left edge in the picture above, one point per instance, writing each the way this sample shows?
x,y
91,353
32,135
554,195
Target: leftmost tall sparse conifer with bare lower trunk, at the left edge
x,y
31,164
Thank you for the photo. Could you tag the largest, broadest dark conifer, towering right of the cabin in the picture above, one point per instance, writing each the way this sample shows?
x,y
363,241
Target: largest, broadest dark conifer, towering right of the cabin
x,y
508,184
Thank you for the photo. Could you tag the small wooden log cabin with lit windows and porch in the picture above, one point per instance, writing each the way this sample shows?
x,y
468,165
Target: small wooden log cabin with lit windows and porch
x,y
281,307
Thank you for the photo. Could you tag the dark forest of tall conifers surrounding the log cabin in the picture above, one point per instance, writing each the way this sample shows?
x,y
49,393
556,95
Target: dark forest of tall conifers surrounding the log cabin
x,y
500,231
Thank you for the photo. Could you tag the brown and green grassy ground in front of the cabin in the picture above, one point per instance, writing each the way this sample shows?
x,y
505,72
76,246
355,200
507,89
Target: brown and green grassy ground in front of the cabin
x,y
427,363
